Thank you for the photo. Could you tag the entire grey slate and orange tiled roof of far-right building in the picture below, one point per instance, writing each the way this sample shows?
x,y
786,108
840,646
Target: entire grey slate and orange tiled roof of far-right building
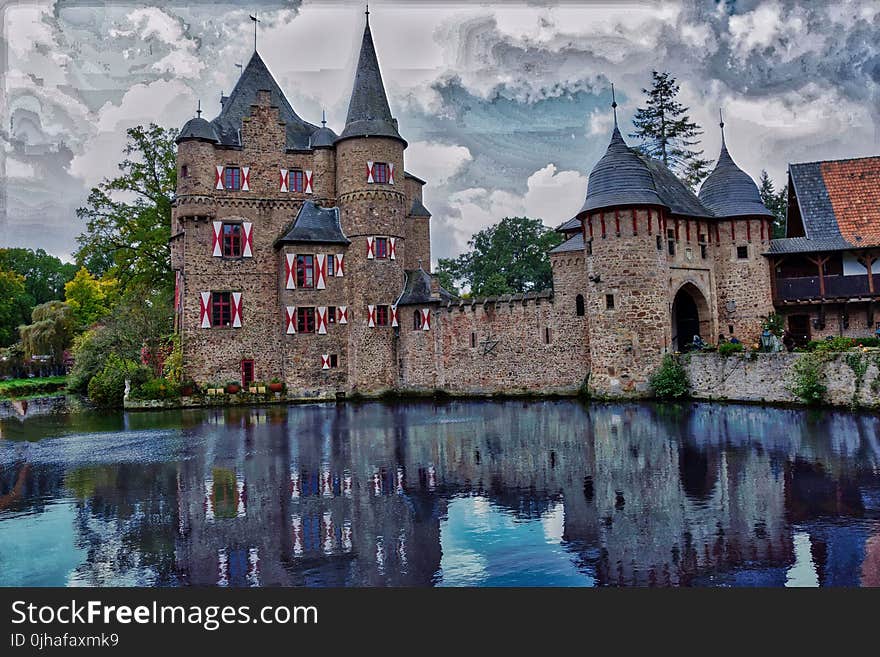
x,y
839,198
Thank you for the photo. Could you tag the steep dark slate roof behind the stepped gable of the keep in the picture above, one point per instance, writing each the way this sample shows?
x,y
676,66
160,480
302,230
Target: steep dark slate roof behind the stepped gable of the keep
x,y
256,77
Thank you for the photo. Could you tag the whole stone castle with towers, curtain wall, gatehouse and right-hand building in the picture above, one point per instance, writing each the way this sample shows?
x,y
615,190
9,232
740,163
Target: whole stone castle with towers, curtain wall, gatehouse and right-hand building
x,y
304,255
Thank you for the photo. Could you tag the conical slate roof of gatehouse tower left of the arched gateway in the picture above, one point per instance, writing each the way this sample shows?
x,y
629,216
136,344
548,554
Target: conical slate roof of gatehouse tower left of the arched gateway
x,y
620,178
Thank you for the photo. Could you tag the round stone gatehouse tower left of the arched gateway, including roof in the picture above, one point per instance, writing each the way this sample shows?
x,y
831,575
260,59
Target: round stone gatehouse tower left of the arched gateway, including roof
x,y
627,309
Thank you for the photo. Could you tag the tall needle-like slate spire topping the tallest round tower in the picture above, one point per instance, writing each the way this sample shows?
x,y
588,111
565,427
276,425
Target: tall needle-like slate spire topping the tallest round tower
x,y
368,112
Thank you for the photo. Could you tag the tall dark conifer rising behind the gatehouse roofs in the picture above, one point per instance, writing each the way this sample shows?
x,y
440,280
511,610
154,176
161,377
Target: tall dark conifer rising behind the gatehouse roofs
x,y
667,132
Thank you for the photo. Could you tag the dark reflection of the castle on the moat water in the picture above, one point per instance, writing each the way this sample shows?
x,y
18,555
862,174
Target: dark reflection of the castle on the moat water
x,y
355,495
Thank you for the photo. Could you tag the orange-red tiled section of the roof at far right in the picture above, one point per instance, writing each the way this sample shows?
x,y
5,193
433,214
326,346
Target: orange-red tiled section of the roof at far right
x,y
854,190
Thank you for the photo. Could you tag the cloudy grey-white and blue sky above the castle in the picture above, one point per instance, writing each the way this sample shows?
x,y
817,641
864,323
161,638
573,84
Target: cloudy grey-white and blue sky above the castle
x,y
505,105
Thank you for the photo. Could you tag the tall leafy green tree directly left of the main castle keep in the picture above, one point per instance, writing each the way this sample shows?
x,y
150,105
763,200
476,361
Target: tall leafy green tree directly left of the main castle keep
x,y
128,218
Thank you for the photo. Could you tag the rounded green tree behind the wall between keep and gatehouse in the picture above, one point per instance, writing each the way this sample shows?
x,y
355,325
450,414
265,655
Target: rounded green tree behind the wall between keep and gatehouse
x,y
508,257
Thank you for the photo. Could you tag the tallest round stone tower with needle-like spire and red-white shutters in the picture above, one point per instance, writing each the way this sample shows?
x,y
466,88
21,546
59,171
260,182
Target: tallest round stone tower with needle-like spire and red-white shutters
x,y
371,199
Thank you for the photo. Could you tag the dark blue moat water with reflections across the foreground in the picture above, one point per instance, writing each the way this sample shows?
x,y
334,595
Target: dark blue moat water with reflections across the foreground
x,y
552,493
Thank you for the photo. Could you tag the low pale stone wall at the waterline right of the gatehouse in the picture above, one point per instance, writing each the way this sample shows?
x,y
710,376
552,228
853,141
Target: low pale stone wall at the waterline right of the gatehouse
x,y
767,378
